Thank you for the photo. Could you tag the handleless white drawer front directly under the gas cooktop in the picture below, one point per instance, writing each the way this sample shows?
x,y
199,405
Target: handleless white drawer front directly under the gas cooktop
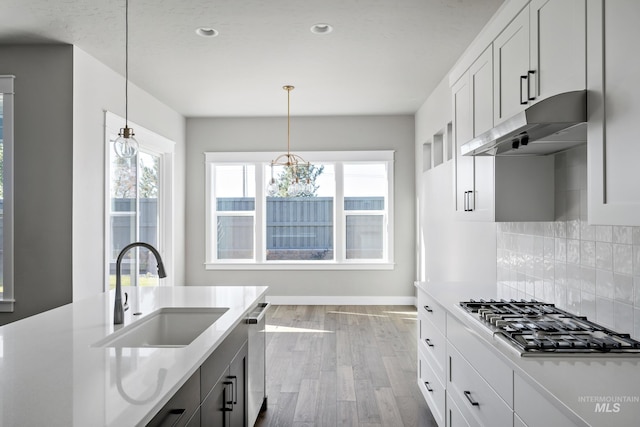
x,y
495,372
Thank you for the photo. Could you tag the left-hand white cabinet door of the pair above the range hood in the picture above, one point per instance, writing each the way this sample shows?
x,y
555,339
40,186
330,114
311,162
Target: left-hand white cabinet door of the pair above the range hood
x,y
511,67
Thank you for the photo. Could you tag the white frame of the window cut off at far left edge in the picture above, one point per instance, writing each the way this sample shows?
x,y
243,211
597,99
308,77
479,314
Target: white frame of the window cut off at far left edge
x,y
7,295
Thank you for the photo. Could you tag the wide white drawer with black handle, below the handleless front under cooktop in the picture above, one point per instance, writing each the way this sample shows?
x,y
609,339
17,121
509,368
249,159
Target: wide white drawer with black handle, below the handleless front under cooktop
x,y
474,396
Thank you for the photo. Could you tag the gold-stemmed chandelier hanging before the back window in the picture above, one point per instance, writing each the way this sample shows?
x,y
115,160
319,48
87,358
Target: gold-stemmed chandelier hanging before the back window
x,y
293,165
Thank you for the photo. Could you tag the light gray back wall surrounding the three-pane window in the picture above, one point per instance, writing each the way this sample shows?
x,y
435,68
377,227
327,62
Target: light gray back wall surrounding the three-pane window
x,y
307,134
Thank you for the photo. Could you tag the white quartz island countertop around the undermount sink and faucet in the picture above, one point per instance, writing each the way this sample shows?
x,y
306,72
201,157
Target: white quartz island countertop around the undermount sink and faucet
x,y
52,376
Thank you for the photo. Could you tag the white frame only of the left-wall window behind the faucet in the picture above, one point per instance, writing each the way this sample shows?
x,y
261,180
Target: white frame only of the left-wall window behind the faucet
x,y
157,145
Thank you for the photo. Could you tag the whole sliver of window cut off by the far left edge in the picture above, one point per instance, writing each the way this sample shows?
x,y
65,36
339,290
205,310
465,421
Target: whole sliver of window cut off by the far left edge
x,y
6,193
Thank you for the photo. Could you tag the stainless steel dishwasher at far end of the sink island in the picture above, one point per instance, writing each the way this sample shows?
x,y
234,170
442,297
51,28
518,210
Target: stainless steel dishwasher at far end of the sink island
x,y
256,383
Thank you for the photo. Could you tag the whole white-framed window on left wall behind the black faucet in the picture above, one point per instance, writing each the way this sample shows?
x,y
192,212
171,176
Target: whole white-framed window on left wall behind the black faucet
x,y
138,206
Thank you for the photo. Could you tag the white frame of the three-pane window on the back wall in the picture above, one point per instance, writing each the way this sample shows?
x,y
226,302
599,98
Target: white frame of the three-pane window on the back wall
x,y
259,262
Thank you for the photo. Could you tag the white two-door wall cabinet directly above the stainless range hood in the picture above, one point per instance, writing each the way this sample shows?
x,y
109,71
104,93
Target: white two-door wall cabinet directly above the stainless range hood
x,y
541,53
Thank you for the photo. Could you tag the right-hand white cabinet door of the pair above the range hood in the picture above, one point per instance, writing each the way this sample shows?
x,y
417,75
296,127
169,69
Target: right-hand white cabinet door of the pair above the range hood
x,y
557,48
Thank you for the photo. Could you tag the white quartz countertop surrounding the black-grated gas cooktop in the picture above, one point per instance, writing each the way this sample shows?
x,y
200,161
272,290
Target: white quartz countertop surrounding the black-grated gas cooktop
x,y
574,384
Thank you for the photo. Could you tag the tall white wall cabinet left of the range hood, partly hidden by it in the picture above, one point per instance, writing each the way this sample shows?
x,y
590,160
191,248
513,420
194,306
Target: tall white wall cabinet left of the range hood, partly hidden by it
x,y
488,188
